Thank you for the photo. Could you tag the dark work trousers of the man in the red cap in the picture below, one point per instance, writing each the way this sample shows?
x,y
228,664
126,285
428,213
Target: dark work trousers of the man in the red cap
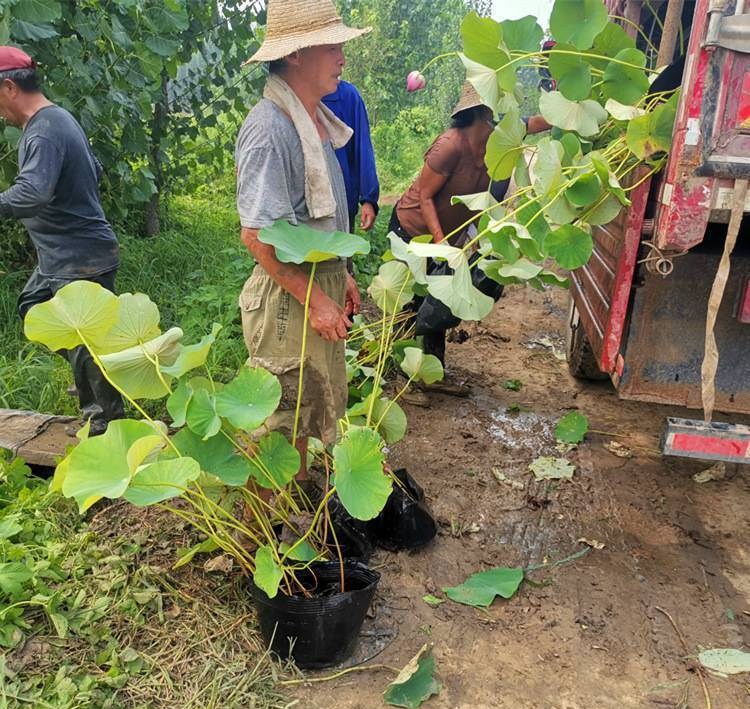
x,y
99,400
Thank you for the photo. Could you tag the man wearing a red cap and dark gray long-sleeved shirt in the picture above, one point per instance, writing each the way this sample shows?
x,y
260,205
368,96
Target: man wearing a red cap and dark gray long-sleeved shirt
x,y
56,196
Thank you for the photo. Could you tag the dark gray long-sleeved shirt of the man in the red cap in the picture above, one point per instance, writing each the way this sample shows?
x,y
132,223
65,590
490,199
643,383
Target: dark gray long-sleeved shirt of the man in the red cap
x,y
56,196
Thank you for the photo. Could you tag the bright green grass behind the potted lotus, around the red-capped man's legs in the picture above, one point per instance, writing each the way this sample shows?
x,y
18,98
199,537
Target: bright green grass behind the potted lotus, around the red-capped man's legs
x,y
194,272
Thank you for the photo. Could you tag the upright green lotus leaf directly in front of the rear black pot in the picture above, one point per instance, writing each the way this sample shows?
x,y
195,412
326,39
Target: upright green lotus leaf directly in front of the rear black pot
x,y
362,486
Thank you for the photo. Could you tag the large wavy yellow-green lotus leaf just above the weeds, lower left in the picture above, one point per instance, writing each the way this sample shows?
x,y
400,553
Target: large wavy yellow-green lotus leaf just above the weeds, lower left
x,y
103,466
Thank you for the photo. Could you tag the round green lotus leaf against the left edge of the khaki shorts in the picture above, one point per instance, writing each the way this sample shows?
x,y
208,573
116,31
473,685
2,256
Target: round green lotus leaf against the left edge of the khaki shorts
x,y
248,400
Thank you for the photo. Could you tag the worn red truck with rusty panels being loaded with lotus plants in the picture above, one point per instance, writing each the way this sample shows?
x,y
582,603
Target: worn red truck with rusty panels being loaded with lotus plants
x,y
638,309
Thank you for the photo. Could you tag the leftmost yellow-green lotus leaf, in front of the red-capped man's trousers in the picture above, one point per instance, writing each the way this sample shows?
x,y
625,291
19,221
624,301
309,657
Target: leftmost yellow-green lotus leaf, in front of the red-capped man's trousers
x,y
80,311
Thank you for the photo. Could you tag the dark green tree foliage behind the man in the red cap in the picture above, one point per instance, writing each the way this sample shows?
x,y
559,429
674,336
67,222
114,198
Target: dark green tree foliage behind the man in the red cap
x,y
147,79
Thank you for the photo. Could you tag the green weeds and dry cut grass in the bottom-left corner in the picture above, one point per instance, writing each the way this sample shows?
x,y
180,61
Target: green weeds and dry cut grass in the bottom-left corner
x,y
96,616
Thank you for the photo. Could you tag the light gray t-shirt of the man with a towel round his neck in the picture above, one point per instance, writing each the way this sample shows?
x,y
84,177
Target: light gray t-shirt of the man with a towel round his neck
x,y
271,173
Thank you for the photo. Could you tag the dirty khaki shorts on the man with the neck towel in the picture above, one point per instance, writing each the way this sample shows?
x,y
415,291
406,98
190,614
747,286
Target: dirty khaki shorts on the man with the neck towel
x,y
272,322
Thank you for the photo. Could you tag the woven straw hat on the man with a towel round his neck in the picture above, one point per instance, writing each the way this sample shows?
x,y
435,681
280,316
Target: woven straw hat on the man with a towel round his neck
x,y
298,24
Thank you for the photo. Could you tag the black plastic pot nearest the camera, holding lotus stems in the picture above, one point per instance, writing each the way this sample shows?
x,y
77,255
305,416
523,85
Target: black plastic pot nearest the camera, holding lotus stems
x,y
320,631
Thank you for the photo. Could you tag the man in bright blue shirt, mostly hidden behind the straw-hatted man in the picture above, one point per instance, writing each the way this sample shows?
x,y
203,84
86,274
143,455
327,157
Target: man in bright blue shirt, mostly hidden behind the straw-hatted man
x,y
357,158
